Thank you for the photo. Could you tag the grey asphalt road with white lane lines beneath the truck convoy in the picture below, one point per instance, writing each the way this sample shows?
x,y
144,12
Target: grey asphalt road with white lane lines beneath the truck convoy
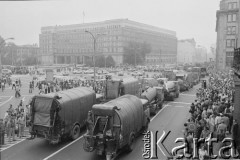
x,y
171,118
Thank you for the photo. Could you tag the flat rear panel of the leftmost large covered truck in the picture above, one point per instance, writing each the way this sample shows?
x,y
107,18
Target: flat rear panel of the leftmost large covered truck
x,y
42,108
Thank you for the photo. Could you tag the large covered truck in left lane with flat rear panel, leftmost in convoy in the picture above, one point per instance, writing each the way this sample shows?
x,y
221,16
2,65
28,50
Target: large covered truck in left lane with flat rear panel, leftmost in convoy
x,y
62,114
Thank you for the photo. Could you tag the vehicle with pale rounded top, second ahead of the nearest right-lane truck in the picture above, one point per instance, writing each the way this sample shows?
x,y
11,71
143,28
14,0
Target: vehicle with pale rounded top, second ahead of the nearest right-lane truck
x,y
172,90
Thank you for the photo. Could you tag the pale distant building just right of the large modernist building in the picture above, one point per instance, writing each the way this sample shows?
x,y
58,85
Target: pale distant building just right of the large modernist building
x,y
186,51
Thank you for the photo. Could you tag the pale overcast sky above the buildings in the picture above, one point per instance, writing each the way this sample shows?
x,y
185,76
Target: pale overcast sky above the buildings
x,y
189,18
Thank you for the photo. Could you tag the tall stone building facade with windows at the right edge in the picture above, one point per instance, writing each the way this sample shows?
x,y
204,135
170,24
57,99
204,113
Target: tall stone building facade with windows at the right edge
x,y
227,28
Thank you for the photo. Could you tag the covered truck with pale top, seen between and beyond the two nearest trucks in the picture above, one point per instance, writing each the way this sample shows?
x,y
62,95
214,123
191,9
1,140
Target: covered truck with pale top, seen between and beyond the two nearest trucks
x,y
116,88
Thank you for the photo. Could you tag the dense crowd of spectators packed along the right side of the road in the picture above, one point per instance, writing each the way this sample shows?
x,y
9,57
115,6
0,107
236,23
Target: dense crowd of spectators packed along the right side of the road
x,y
211,113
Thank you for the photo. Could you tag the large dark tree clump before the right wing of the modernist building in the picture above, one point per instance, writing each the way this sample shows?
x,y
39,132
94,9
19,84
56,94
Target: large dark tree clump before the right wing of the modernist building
x,y
136,52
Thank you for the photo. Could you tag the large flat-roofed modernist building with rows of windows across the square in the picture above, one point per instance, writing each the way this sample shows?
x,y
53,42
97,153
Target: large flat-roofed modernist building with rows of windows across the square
x,y
70,44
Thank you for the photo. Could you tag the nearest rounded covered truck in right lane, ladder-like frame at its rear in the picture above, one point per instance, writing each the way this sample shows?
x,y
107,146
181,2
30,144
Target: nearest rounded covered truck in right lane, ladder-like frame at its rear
x,y
117,123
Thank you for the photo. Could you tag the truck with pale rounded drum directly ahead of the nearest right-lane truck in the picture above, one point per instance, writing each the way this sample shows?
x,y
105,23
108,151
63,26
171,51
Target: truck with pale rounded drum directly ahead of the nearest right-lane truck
x,y
155,97
